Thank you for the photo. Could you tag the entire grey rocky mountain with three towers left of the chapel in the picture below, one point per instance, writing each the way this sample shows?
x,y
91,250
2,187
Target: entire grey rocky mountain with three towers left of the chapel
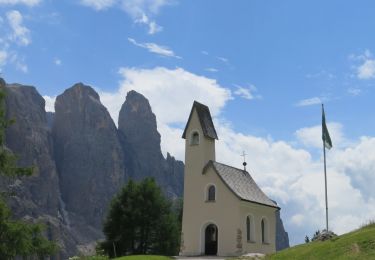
x,y
81,160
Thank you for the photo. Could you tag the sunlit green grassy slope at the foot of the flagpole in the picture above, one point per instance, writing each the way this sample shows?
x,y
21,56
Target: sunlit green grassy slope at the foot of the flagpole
x,y
359,244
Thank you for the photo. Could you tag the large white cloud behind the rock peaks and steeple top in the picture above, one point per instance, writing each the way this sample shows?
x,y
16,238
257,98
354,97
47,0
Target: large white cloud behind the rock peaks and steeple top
x,y
178,86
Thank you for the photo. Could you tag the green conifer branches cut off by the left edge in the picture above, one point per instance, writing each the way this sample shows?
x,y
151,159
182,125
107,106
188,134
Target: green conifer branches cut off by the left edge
x,y
17,238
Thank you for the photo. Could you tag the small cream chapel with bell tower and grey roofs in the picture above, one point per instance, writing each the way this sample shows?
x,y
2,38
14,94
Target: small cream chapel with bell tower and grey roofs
x,y
225,213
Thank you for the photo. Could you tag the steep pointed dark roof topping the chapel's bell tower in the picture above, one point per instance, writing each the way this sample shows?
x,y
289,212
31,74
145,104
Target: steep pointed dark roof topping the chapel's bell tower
x,y
205,120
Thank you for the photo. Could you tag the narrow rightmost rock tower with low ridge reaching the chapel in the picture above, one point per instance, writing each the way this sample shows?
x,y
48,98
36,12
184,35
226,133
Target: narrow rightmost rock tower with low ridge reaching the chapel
x,y
141,144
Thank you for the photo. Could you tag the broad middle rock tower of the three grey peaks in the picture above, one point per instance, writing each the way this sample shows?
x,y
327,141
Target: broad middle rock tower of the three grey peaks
x,y
88,154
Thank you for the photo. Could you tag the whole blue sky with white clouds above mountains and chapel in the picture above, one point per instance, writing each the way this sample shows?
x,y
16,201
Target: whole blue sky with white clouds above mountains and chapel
x,y
263,67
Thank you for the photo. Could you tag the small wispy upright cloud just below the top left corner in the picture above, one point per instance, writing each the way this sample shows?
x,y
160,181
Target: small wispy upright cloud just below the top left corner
x,y
20,33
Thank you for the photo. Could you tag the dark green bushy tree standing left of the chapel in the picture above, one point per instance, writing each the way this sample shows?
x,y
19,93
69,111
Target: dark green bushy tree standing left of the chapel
x,y
140,221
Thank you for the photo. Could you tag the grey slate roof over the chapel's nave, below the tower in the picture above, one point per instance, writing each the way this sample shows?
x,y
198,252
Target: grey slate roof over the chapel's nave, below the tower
x,y
241,183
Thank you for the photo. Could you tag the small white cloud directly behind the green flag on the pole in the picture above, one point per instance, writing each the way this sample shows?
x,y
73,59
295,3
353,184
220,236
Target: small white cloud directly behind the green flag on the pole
x,y
312,136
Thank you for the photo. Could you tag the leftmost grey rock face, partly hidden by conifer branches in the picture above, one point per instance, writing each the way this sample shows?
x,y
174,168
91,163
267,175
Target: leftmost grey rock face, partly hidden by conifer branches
x,y
37,198
